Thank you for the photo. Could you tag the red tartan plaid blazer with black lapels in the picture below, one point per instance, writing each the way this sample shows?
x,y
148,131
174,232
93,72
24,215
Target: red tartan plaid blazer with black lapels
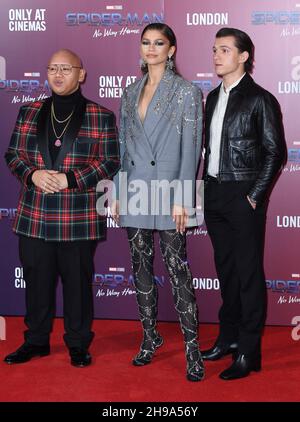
x,y
90,149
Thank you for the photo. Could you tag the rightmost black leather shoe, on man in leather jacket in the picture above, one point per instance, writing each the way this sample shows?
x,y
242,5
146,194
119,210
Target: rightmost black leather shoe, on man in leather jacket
x,y
241,367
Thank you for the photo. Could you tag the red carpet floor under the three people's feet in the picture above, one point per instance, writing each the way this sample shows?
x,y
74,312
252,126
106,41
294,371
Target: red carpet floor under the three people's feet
x,y
111,377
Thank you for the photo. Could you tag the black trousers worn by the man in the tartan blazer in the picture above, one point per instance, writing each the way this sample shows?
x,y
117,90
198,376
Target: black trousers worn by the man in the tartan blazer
x,y
42,263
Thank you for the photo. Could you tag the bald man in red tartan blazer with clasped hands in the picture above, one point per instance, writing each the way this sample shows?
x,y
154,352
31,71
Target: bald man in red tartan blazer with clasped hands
x,y
59,150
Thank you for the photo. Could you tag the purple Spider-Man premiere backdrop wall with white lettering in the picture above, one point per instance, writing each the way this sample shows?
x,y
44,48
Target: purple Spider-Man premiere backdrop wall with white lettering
x,y
106,35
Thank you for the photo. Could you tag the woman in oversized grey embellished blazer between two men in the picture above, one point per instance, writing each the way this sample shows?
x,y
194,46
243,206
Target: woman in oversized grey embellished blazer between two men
x,y
160,140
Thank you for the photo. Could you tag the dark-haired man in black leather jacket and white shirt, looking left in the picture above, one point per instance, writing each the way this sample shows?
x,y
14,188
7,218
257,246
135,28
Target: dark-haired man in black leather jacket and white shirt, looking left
x,y
245,149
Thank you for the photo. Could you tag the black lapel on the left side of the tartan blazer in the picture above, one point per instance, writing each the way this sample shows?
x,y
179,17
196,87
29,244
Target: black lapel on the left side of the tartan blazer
x,y
42,132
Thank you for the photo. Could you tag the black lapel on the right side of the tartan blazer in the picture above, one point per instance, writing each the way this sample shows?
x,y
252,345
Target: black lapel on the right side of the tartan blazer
x,y
71,132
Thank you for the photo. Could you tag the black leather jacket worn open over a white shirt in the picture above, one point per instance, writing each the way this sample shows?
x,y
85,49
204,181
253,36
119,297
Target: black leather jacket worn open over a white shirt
x,y
252,141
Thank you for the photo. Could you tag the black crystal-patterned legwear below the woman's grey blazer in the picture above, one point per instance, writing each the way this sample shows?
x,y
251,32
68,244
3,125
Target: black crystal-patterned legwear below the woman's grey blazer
x,y
173,249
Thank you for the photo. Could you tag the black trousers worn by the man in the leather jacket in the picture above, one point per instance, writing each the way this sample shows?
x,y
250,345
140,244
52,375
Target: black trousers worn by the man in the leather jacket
x,y
237,234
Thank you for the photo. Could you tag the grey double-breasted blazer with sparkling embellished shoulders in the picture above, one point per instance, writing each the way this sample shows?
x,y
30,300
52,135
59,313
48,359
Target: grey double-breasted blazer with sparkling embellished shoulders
x,y
162,150
